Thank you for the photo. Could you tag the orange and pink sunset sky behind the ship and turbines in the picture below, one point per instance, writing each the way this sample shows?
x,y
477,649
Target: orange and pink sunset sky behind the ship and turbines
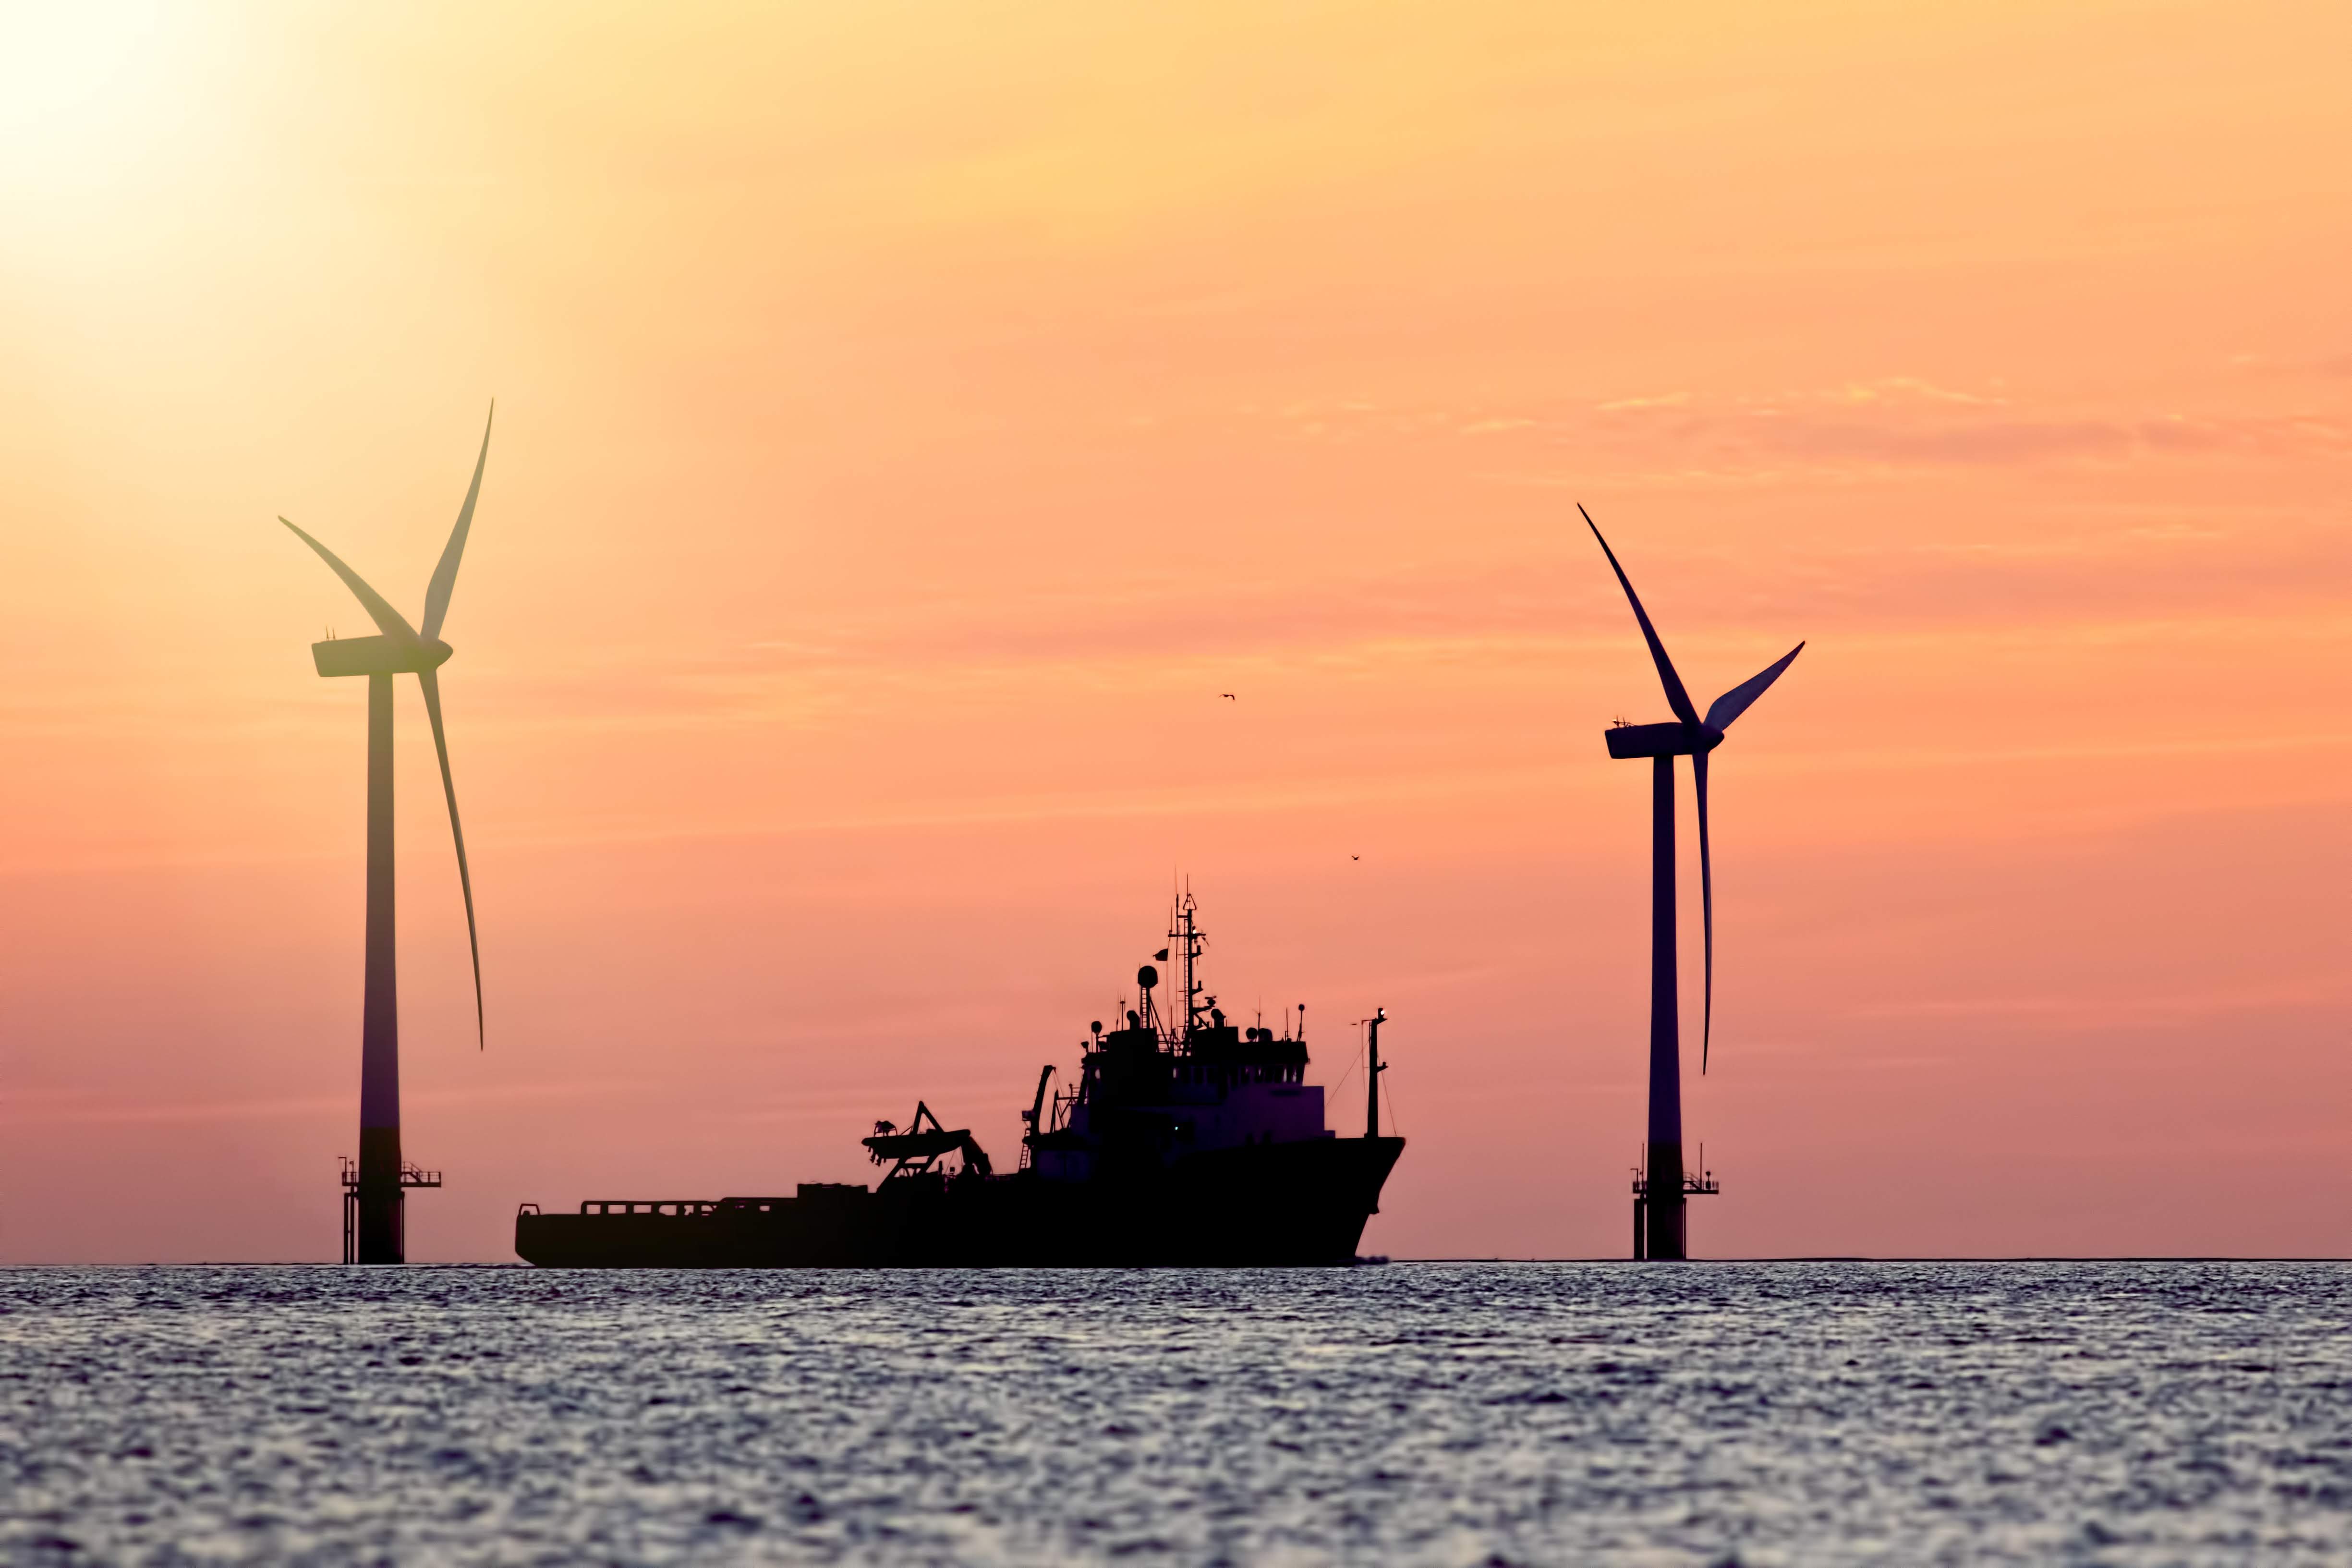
x,y
914,417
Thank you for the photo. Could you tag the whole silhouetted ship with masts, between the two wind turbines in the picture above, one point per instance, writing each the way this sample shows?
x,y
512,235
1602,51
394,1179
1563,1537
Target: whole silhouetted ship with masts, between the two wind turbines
x,y
1187,1141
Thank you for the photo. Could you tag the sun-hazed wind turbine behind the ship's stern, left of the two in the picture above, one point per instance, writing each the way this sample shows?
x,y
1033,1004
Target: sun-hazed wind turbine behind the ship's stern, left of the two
x,y
399,650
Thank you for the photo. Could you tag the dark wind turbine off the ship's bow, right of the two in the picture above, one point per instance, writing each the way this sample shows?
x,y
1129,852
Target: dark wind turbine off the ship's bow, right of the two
x,y
1659,1193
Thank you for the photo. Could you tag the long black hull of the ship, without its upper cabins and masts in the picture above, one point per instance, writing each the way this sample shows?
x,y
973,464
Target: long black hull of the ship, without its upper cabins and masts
x,y
1274,1205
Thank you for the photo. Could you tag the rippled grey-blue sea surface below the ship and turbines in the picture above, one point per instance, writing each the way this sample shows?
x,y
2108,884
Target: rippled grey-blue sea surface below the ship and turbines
x,y
1415,1414
